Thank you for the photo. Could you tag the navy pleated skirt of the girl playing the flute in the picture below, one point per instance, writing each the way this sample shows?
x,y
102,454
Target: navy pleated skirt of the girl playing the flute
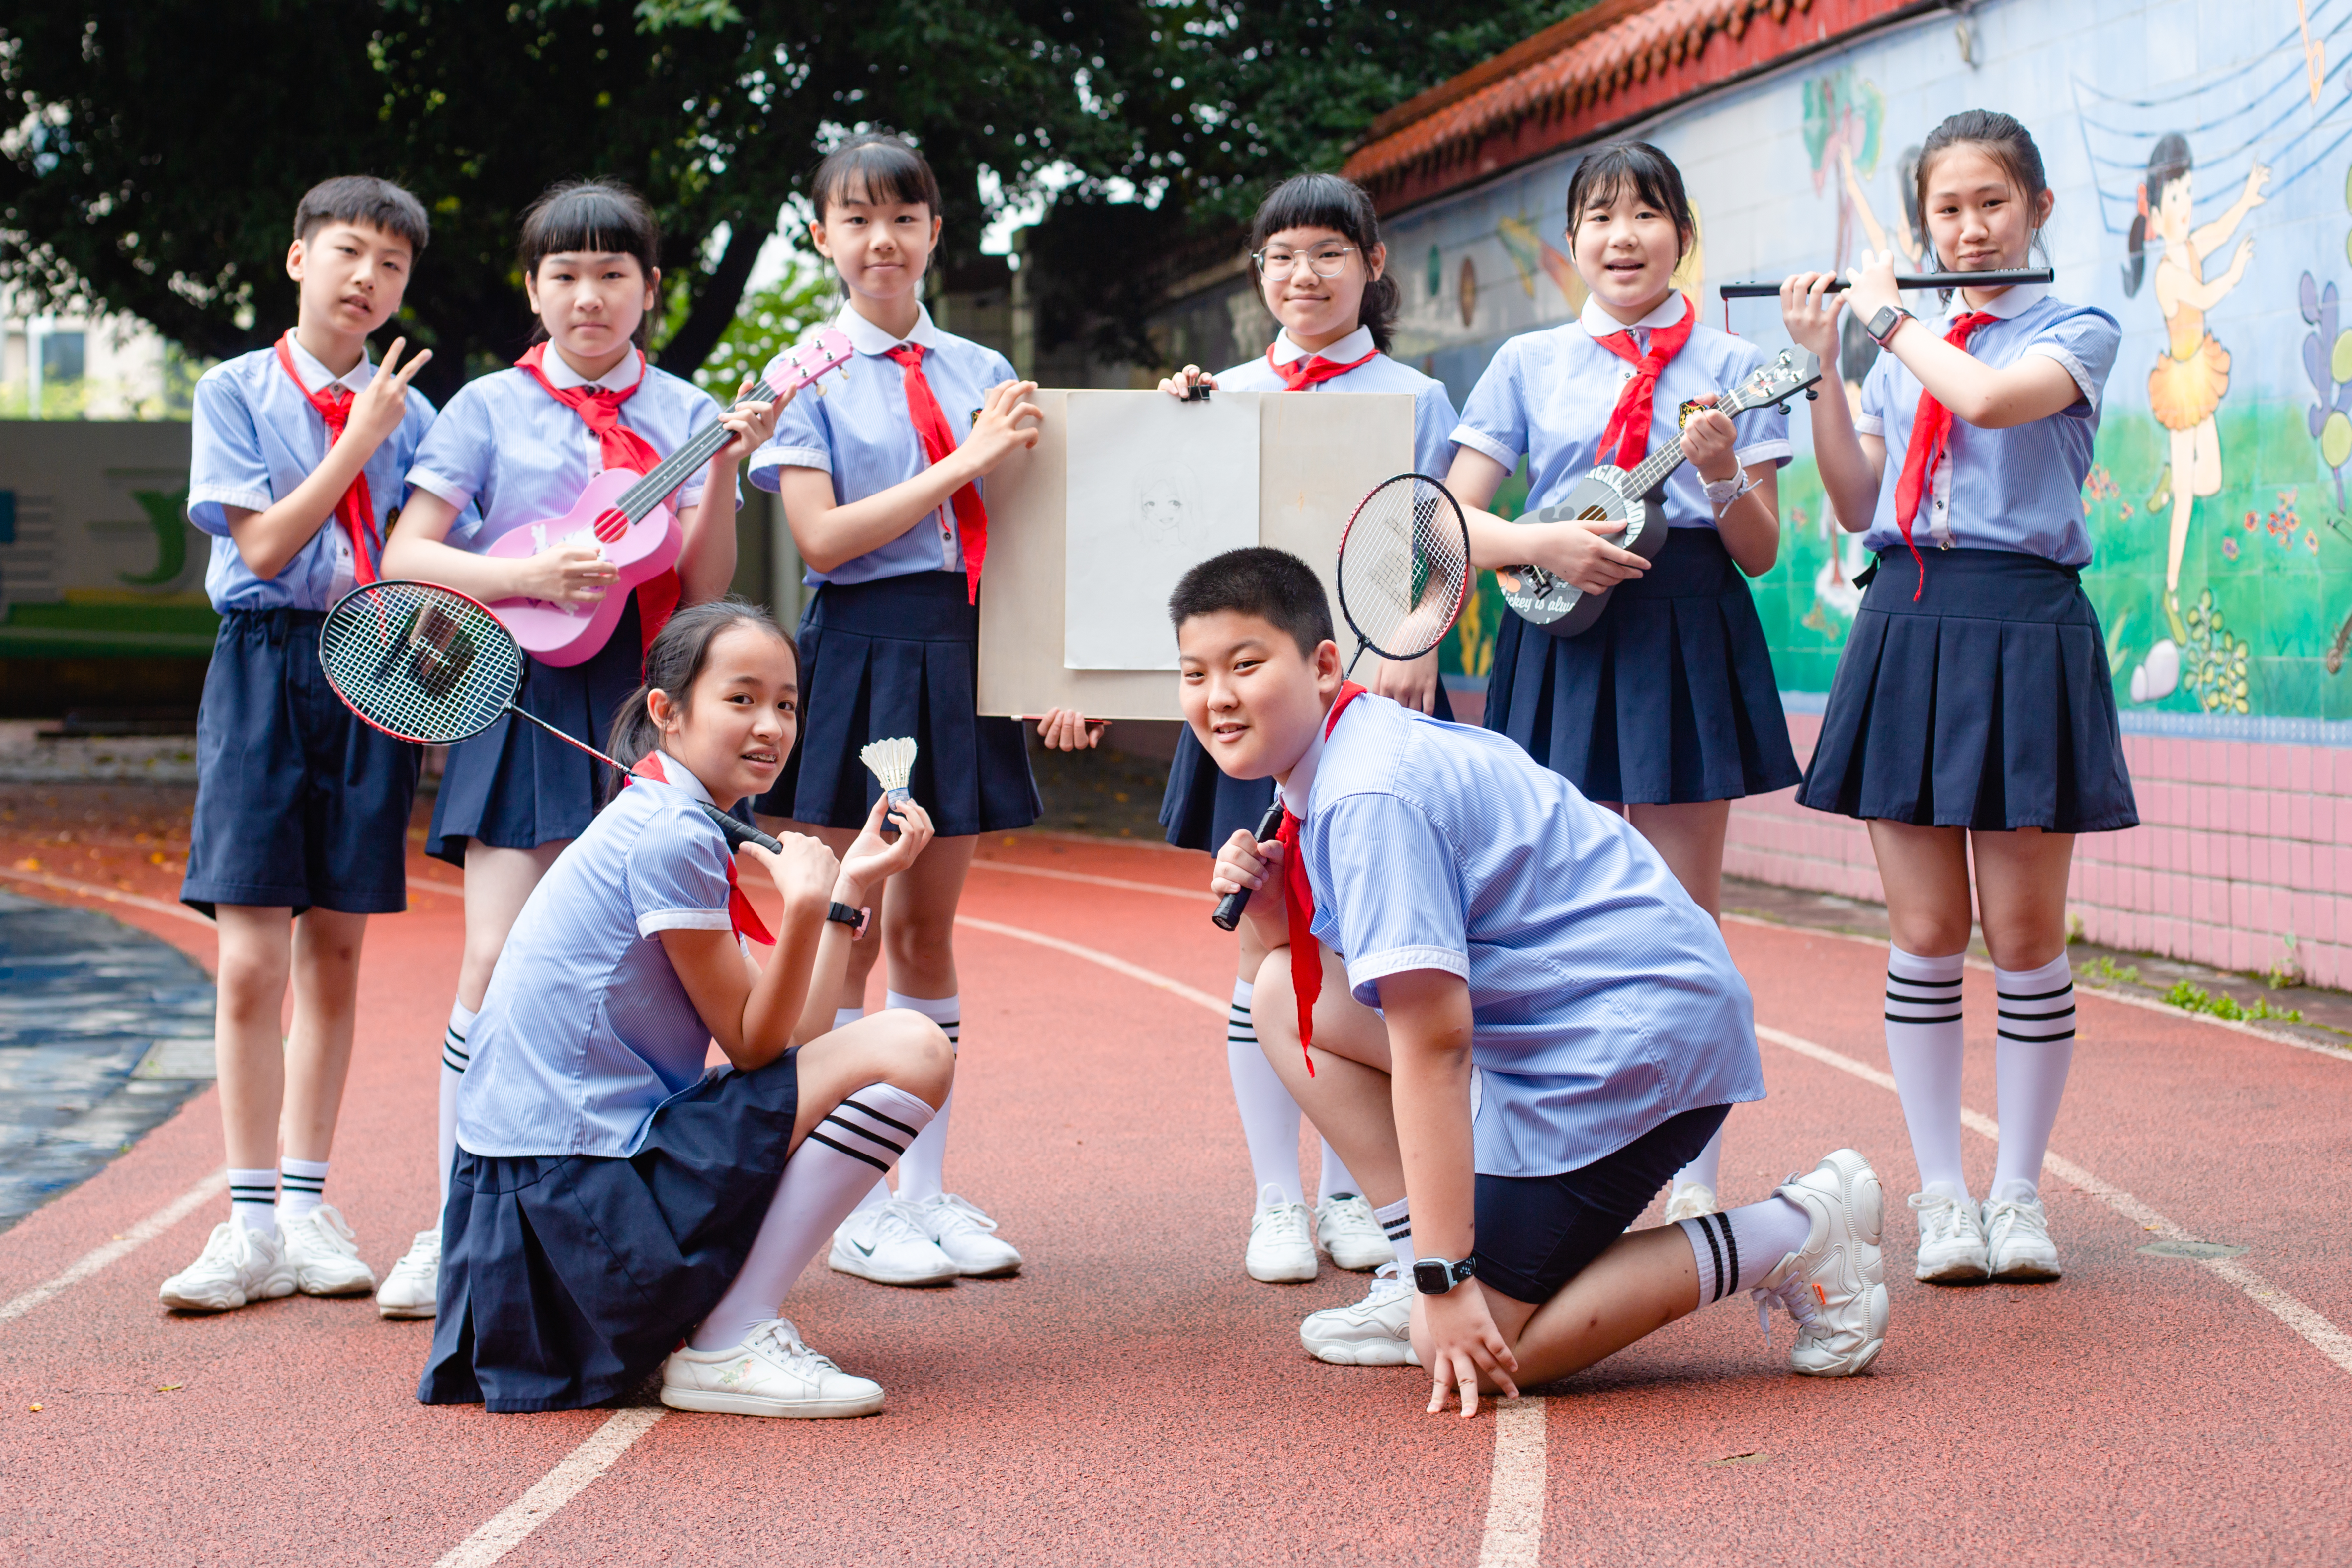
x,y
1986,704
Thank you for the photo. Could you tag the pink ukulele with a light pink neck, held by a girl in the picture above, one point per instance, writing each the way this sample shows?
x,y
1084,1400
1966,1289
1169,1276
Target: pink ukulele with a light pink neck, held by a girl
x,y
632,521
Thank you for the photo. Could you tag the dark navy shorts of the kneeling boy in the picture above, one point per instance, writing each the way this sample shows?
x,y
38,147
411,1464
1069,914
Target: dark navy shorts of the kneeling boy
x,y
1537,1233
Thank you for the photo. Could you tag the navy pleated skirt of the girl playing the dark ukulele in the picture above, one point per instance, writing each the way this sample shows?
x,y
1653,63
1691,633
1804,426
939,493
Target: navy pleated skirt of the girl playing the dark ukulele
x,y
1669,697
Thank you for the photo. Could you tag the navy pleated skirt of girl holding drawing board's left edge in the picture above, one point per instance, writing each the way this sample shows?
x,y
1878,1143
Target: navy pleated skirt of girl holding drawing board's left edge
x,y
902,659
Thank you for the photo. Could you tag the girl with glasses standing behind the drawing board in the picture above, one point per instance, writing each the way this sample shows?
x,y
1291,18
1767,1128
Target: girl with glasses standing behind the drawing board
x,y
1325,279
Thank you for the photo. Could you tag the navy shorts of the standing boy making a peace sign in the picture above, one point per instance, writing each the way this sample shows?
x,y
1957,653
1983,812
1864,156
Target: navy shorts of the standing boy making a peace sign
x,y
298,803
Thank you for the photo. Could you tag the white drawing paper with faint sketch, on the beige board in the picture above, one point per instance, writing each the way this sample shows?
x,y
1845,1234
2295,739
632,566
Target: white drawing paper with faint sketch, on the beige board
x,y
1154,490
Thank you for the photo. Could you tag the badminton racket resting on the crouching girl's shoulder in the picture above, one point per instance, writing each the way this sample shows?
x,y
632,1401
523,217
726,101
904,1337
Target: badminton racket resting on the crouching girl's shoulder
x,y
432,666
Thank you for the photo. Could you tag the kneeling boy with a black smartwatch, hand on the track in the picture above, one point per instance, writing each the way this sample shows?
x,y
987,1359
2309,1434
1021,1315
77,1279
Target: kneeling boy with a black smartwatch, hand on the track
x,y
1525,1033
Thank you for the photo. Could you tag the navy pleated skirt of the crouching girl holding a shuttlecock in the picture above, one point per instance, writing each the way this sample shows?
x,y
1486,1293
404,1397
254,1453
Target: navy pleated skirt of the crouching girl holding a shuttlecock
x,y
566,1278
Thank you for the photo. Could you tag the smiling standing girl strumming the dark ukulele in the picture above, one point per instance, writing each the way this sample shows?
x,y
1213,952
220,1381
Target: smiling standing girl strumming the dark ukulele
x,y
1669,704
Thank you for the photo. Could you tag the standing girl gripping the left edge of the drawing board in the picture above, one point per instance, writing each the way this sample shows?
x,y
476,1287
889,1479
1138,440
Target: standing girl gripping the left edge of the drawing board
x,y
881,485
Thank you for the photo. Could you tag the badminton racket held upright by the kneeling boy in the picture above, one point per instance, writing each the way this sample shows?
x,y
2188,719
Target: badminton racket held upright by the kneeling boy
x,y
1403,579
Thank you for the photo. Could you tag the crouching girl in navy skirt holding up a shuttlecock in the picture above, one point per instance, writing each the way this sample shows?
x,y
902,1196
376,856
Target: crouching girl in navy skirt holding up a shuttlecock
x,y
608,1195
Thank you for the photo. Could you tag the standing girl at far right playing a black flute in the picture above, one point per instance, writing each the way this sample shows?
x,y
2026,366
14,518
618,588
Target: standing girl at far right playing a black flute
x,y
1972,709
